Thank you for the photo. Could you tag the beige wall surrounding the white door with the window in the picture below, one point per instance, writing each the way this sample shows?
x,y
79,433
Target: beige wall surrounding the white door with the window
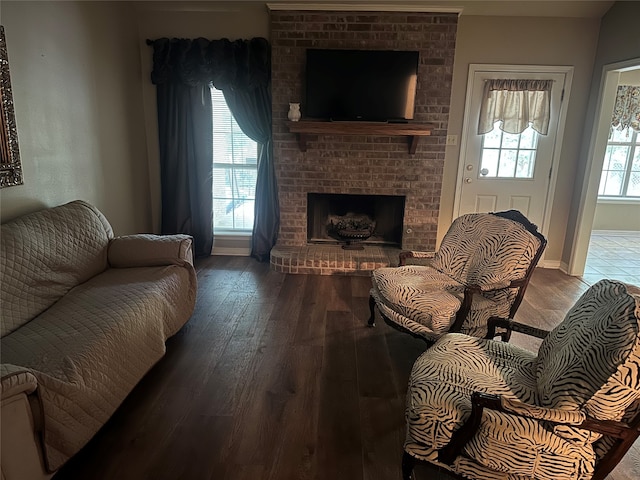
x,y
525,41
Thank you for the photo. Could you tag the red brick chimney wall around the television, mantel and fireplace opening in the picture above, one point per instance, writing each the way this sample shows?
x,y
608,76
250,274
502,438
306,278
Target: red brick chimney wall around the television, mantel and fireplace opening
x,y
362,164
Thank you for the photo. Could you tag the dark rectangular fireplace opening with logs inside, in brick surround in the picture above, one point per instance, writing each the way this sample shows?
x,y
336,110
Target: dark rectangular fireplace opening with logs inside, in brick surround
x,y
354,220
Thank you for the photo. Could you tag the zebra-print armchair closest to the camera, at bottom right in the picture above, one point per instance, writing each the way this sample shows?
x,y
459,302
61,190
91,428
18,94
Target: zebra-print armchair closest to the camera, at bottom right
x,y
486,409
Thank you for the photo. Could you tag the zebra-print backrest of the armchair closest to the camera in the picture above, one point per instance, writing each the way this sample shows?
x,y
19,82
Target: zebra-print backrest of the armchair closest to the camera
x,y
591,360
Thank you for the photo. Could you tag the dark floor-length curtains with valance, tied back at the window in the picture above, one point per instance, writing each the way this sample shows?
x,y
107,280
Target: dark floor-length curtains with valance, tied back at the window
x,y
182,71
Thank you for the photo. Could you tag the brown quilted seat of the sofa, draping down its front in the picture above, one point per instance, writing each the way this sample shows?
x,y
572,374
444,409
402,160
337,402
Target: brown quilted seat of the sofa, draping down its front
x,y
89,350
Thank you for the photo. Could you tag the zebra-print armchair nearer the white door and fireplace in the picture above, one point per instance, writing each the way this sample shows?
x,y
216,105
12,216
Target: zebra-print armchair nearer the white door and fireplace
x,y
481,270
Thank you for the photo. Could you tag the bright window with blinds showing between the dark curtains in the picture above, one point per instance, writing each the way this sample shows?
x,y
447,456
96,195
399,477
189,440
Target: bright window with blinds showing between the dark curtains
x,y
235,170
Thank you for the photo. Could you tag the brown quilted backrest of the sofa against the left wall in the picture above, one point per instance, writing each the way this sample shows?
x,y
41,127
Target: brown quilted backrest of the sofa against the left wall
x,y
45,254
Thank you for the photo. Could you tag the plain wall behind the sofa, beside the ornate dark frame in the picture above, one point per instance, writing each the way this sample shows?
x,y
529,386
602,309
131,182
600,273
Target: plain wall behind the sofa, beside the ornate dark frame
x,y
75,73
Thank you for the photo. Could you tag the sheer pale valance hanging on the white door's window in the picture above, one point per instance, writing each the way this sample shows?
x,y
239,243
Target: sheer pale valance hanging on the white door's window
x,y
517,104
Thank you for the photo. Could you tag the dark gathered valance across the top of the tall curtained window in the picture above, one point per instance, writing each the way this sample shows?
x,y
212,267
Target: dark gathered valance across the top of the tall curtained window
x,y
244,64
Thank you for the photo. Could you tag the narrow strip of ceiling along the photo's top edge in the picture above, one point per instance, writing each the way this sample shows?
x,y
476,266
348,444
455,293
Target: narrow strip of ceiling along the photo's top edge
x,y
535,8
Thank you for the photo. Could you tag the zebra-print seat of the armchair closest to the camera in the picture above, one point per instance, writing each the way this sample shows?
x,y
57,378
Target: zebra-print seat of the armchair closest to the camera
x,y
441,384
